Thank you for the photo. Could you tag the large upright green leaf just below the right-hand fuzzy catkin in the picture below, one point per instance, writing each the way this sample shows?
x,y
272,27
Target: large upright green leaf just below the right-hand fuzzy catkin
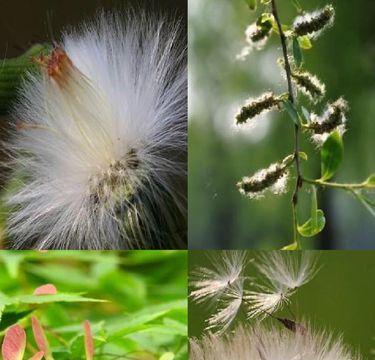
x,y
331,155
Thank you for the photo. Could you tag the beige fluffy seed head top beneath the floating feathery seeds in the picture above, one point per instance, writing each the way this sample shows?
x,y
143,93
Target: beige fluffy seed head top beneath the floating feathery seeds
x,y
263,343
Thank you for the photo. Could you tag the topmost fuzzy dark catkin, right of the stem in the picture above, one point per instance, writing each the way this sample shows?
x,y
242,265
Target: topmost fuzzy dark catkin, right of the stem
x,y
313,24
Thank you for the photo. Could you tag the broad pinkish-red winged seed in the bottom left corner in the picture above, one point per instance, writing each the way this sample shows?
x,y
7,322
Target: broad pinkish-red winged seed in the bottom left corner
x,y
14,343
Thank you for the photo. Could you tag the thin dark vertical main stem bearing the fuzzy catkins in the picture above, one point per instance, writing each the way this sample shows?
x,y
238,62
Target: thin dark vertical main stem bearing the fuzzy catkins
x,y
296,127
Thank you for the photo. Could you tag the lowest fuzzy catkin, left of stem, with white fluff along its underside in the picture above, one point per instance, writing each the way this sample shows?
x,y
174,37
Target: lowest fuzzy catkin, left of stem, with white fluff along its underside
x,y
273,179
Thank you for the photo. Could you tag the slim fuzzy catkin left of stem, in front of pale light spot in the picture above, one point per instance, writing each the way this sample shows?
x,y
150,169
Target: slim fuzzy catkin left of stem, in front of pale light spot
x,y
253,107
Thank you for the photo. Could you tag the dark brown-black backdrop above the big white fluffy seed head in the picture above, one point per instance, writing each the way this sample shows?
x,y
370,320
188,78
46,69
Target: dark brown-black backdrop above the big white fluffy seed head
x,y
24,22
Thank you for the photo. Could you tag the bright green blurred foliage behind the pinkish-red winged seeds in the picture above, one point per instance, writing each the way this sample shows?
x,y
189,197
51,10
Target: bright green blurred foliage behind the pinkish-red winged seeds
x,y
145,315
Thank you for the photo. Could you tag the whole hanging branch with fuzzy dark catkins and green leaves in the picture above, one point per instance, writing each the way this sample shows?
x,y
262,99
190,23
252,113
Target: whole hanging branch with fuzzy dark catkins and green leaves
x,y
326,130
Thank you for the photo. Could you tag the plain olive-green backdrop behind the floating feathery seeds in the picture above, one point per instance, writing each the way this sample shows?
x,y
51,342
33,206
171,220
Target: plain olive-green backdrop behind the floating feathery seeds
x,y
340,298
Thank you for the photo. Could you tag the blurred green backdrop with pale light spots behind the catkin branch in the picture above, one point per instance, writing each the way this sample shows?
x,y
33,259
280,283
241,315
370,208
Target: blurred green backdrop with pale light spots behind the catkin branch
x,y
219,155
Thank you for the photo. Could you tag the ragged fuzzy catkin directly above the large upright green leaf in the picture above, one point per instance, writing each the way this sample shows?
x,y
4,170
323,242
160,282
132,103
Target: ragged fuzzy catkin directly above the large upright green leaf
x,y
333,118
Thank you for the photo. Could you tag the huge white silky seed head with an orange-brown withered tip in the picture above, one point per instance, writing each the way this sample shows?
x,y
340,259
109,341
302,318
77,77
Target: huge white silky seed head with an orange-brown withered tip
x,y
100,140
